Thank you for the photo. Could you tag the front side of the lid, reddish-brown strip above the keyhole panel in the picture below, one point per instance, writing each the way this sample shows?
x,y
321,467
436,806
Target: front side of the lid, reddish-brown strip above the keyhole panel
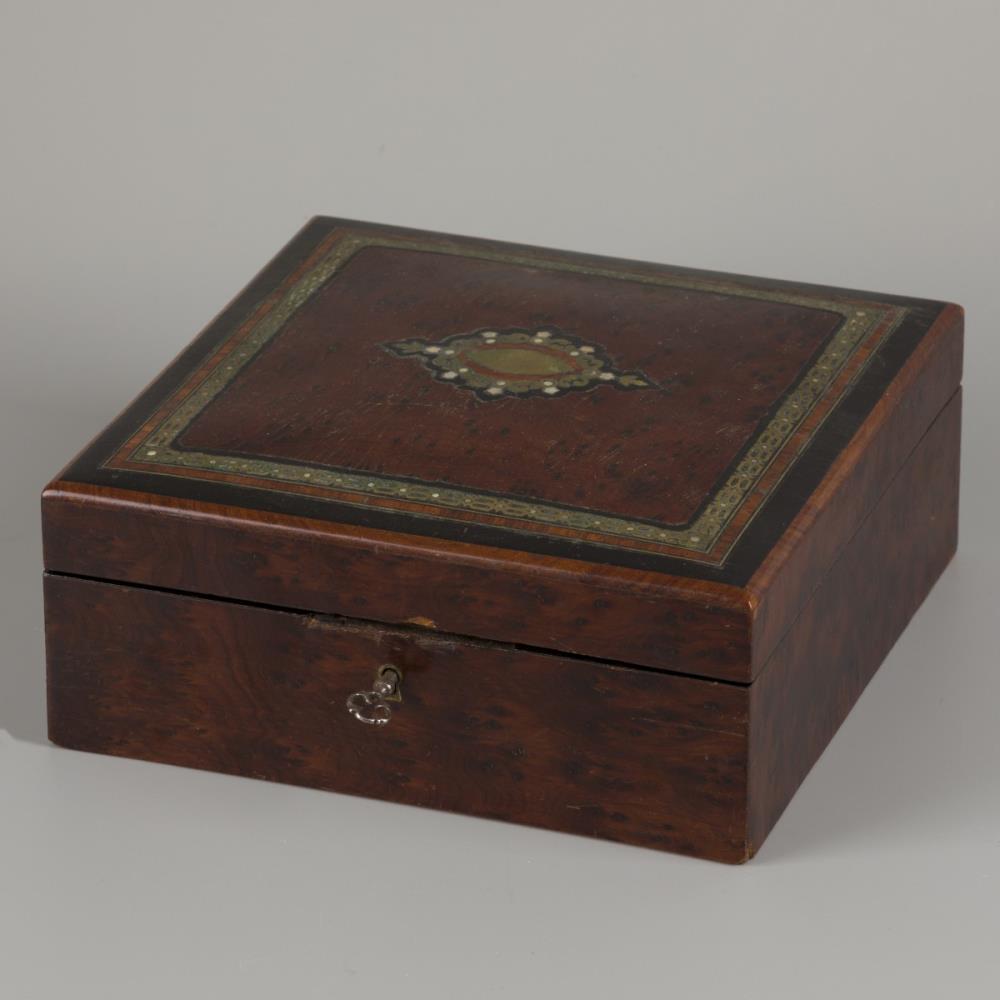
x,y
685,626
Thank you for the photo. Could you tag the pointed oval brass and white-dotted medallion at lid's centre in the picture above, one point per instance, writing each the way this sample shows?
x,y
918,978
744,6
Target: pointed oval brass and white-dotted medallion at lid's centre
x,y
519,362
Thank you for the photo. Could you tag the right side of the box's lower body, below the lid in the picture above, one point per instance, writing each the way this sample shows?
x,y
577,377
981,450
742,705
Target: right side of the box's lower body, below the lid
x,y
855,616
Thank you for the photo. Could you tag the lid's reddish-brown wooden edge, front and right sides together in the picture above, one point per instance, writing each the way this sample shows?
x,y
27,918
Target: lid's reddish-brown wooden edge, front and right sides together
x,y
608,612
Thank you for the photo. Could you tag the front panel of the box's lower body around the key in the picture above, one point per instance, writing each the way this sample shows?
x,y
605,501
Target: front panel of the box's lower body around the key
x,y
630,755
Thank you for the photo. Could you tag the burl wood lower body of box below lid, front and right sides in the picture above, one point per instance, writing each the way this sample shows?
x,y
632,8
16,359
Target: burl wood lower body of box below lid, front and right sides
x,y
638,756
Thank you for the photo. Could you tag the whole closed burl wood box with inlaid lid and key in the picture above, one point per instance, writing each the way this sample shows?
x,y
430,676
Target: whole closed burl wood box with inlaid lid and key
x,y
595,545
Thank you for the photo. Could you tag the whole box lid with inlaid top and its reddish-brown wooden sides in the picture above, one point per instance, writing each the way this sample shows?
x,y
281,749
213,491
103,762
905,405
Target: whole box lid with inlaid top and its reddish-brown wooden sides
x,y
645,464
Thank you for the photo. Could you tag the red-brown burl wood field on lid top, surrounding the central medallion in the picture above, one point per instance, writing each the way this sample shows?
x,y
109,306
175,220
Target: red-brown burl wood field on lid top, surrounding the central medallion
x,y
332,397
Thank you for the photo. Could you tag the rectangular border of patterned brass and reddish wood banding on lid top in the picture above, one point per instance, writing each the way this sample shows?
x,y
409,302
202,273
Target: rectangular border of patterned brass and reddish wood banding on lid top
x,y
864,326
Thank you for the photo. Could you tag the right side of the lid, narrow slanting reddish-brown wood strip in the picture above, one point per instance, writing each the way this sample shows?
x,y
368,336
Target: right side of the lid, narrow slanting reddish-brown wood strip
x,y
814,540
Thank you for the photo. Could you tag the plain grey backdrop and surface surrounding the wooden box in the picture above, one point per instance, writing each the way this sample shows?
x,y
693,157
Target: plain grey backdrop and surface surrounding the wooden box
x,y
155,155
